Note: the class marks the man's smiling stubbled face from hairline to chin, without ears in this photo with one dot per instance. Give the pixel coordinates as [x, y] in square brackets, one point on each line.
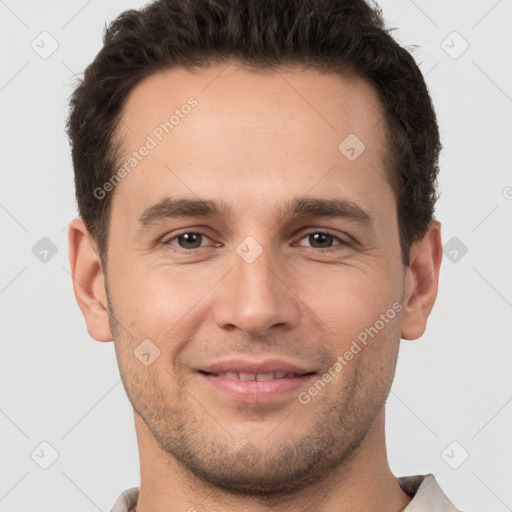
[260, 284]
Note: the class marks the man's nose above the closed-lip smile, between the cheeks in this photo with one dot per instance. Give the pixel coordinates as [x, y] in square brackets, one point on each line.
[257, 296]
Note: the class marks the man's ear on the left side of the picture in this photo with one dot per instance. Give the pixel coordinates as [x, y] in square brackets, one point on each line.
[88, 281]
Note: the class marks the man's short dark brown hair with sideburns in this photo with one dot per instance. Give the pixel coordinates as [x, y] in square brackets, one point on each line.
[339, 36]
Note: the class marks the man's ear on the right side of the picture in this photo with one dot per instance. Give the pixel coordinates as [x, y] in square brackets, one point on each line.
[421, 282]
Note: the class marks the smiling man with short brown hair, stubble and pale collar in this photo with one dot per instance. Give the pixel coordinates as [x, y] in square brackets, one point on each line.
[256, 185]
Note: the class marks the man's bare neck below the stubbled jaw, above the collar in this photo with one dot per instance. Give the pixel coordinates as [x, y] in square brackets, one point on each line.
[363, 483]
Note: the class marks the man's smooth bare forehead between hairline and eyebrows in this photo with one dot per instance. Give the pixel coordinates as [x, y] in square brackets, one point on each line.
[227, 131]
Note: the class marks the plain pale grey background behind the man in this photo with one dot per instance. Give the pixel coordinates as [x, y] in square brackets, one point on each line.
[452, 396]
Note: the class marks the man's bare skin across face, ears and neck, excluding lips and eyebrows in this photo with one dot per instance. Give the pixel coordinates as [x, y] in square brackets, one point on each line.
[255, 141]
